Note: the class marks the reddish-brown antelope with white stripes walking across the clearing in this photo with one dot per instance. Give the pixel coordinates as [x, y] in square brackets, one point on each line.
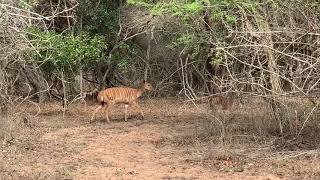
[121, 95]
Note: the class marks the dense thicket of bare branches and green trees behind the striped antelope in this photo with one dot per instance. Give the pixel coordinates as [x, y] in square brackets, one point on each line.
[239, 48]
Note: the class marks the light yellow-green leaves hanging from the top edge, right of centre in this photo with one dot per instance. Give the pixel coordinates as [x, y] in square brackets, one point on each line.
[224, 15]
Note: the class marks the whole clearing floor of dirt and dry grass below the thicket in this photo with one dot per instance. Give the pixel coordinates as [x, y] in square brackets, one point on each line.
[241, 142]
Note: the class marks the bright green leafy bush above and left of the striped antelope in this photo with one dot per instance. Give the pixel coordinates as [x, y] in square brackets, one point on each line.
[65, 52]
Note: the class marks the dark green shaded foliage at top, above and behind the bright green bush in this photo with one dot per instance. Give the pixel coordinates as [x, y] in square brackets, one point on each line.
[102, 19]
